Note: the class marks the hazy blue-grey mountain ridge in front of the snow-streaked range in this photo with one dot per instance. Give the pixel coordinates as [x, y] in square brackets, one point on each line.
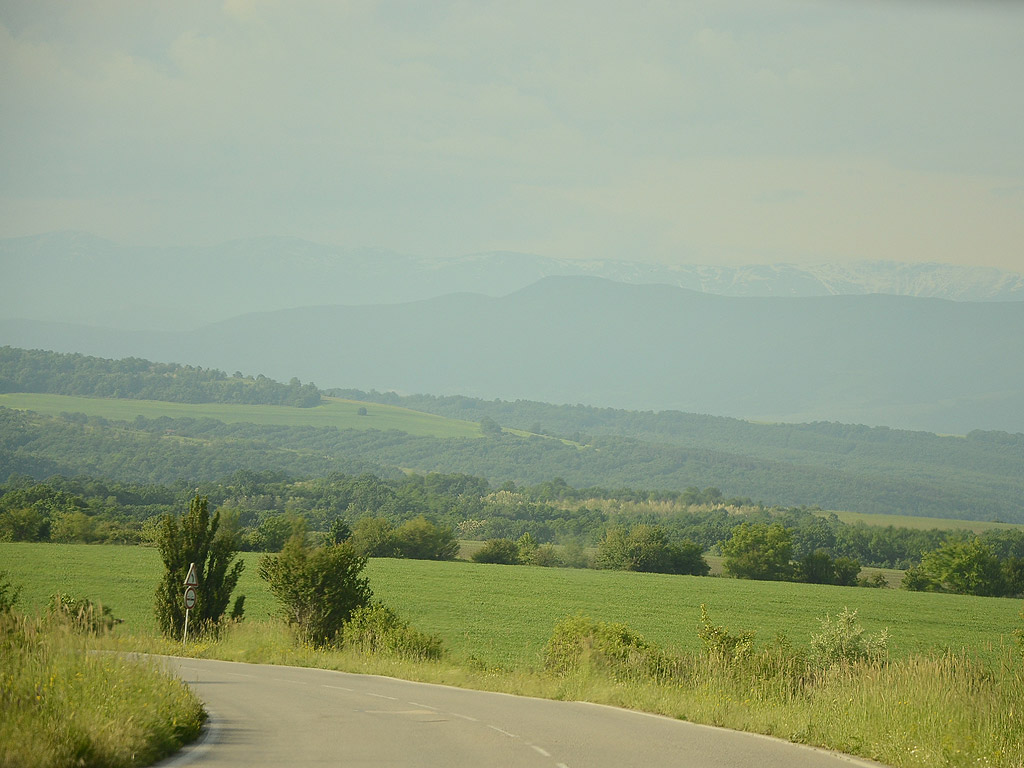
[898, 361]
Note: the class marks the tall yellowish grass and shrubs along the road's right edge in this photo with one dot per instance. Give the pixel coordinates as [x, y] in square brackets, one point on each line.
[917, 712]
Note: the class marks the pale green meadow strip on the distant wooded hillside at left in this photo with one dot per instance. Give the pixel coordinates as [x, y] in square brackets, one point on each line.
[334, 413]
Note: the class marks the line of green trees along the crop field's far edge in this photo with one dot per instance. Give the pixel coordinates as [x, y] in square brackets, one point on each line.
[426, 517]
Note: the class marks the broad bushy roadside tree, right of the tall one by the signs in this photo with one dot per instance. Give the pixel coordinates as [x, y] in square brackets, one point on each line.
[319, 588]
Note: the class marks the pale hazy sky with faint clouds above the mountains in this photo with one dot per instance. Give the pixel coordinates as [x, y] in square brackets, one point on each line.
[703, 133]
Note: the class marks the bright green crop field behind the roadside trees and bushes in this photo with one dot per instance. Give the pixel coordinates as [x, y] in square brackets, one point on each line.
[504, 615]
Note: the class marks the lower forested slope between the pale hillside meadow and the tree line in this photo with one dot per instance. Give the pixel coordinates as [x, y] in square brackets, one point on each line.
[169, 450]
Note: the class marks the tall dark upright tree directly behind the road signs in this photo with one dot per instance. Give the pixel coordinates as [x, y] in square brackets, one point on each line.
[196, 538]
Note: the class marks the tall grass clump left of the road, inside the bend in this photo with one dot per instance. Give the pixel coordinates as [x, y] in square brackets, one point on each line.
[64, 706]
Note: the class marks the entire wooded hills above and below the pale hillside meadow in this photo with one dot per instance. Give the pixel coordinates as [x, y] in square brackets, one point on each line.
[834, 466]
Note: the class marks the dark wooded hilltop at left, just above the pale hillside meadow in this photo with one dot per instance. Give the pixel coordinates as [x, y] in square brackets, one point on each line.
[133, 378]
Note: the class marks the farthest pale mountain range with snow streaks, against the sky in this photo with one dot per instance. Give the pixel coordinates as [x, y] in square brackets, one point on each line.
[78, 279]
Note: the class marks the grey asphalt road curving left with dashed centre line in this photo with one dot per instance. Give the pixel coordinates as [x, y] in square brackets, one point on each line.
[289, 716]
